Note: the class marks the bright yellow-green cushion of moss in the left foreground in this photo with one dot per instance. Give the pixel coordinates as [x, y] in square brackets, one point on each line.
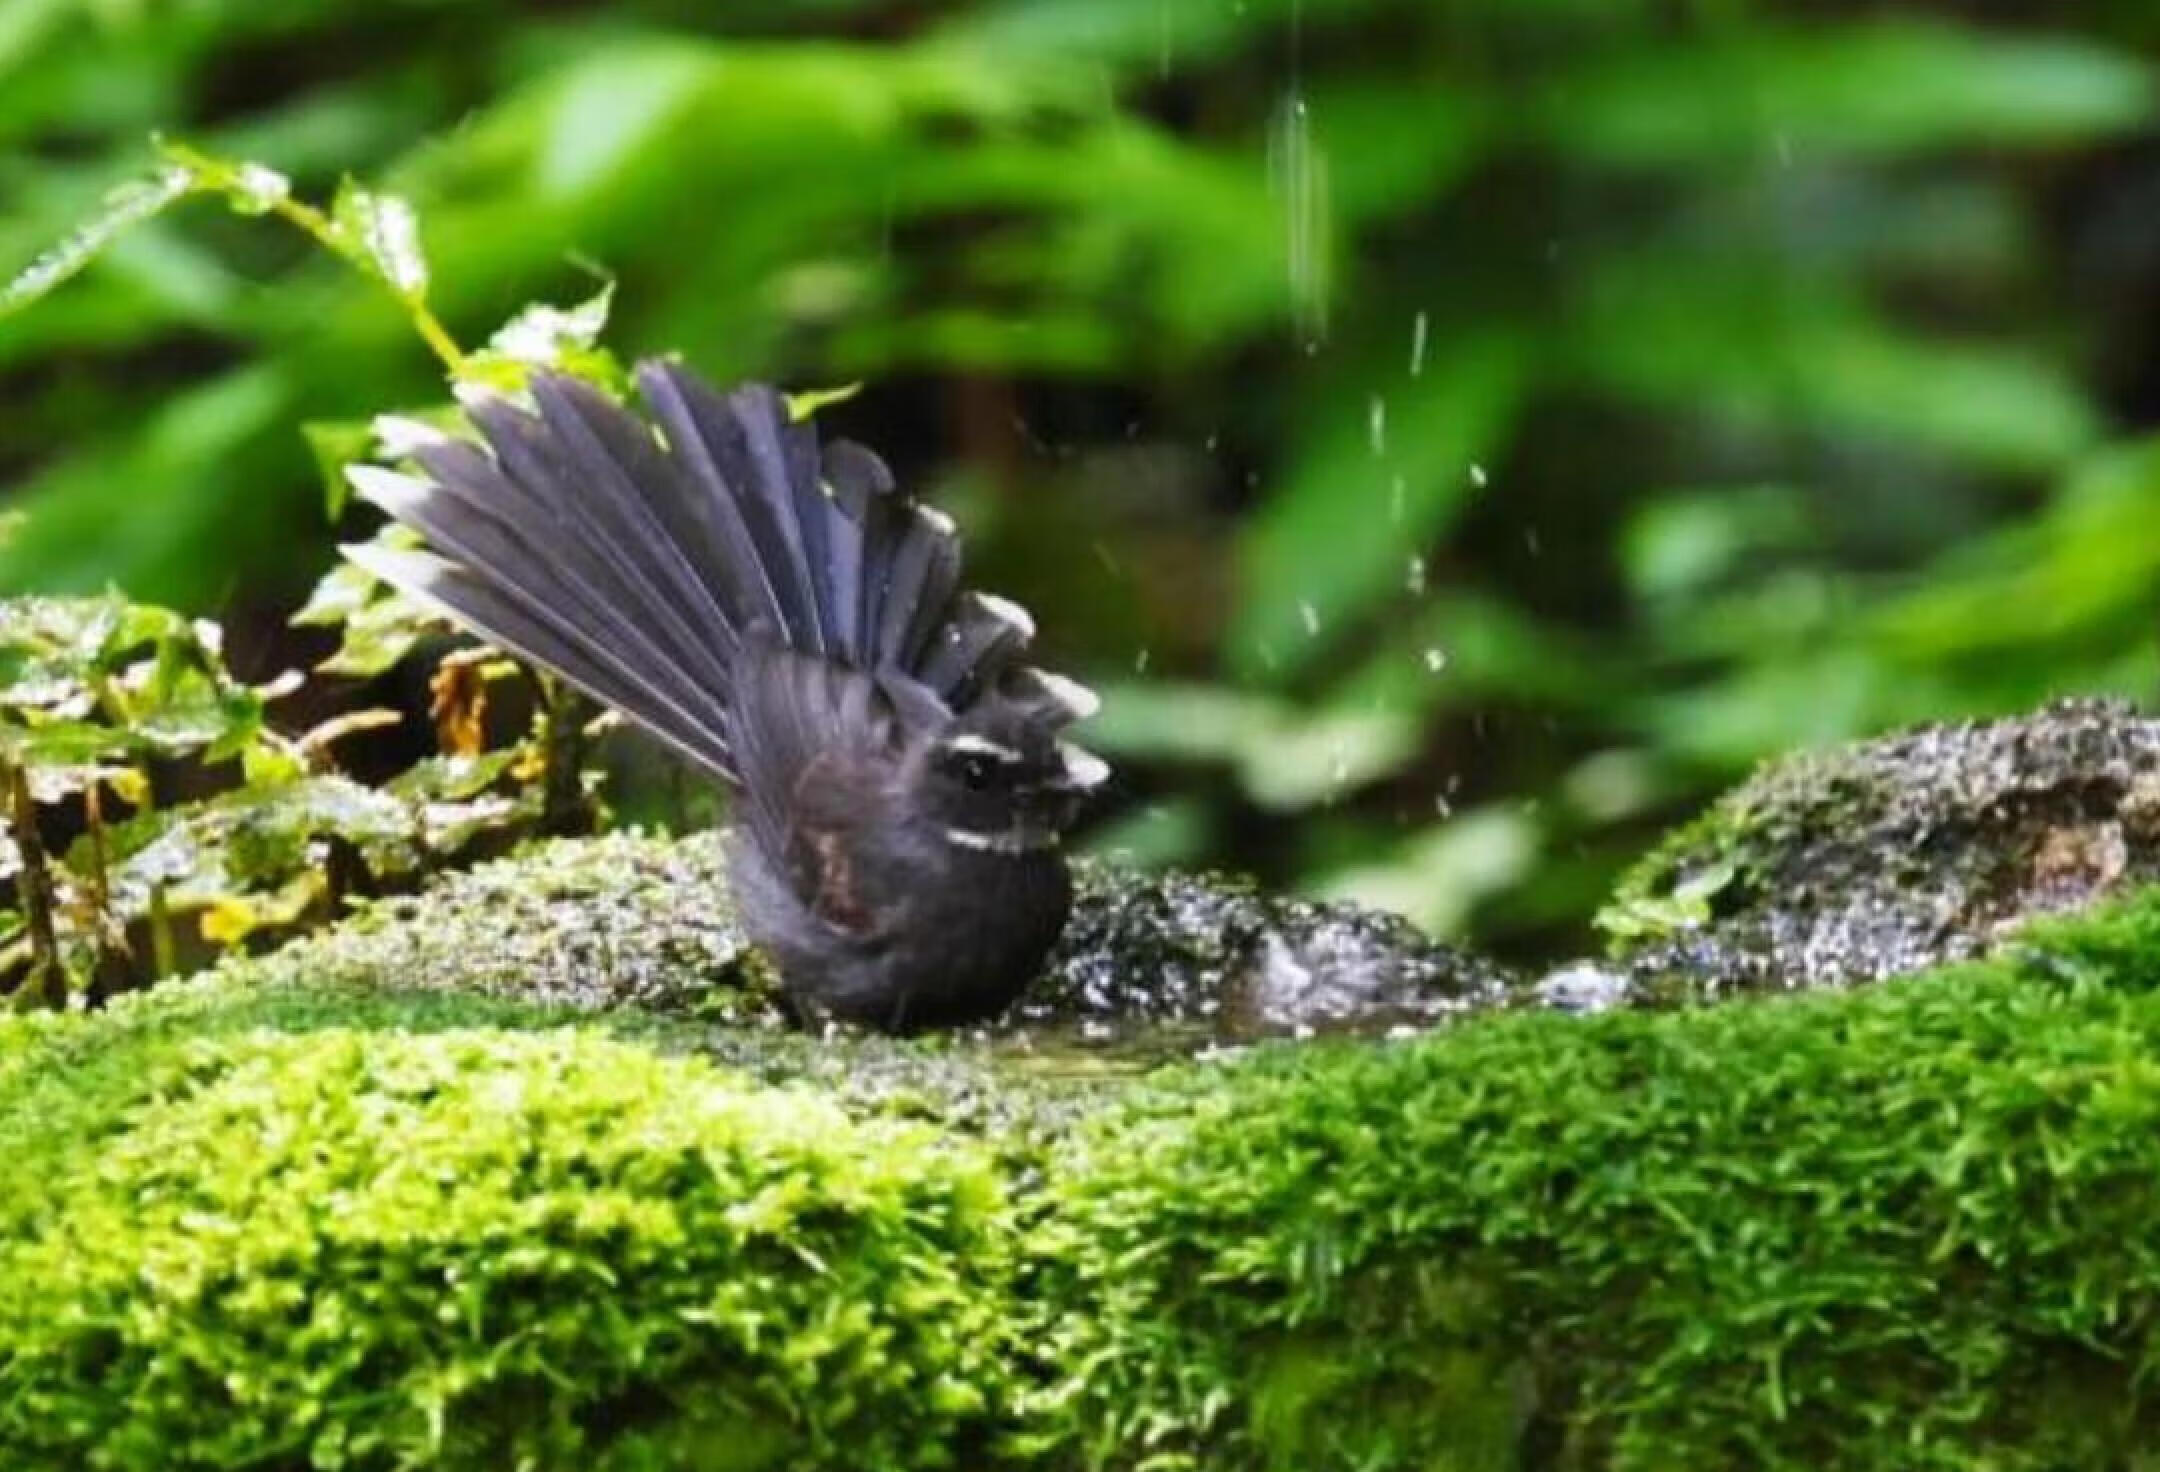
[472, 1248]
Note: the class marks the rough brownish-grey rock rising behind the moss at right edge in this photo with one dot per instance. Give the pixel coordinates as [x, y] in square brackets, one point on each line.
[1895, 855]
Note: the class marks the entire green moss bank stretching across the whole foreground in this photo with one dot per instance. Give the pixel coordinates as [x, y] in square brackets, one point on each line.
[262, 1225]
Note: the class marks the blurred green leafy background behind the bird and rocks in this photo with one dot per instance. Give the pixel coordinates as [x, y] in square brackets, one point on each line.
[1457, 436]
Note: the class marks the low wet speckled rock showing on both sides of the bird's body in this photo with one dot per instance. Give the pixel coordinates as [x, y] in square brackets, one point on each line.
[1148, 963]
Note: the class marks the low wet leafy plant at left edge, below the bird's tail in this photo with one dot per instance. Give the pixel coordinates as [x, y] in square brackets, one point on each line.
[100, 704]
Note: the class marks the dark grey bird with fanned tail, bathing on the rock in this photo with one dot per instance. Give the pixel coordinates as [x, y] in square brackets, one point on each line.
[787, 619]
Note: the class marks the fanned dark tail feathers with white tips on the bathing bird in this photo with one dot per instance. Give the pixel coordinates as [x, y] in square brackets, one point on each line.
[636, 565]
